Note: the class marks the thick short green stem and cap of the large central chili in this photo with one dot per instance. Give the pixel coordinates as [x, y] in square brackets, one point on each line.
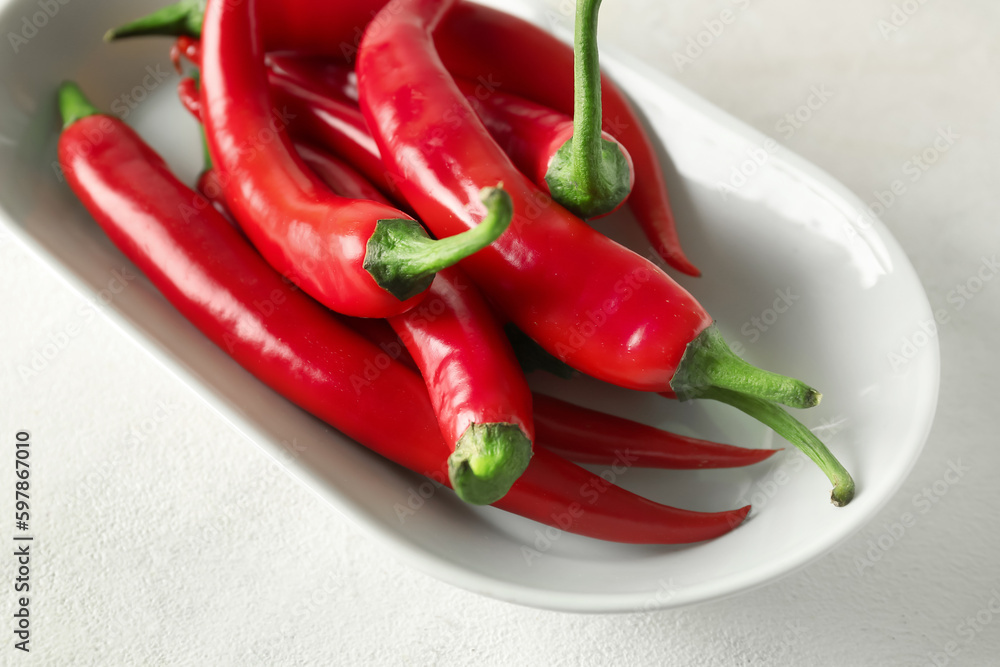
[709, 363]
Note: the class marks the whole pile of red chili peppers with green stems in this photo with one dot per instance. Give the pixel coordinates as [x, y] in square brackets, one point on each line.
[394, 248]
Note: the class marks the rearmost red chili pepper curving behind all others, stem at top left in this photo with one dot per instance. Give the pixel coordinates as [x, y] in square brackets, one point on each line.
[474, 41]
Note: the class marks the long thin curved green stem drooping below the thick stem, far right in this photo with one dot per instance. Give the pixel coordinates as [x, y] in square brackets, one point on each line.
[794, 432]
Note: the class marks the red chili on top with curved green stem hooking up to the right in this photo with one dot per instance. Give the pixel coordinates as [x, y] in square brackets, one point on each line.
[357, 257]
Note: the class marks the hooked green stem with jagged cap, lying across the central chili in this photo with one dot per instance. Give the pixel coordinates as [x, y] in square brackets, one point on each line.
[403, 259]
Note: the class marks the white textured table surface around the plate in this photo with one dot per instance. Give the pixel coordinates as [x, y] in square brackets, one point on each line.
[165, 538]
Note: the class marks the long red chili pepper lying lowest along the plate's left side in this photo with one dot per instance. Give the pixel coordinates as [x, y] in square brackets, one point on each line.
[217, 281]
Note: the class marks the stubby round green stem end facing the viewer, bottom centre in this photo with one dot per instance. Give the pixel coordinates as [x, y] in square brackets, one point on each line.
[487, 460]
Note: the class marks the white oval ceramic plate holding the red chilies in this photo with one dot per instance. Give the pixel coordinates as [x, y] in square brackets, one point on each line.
[790, 239]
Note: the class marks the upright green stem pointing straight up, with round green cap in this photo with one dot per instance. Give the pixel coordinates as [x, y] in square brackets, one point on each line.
[589, 175]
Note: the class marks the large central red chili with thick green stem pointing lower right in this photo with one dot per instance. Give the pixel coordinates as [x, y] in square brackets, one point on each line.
[589, 301]
